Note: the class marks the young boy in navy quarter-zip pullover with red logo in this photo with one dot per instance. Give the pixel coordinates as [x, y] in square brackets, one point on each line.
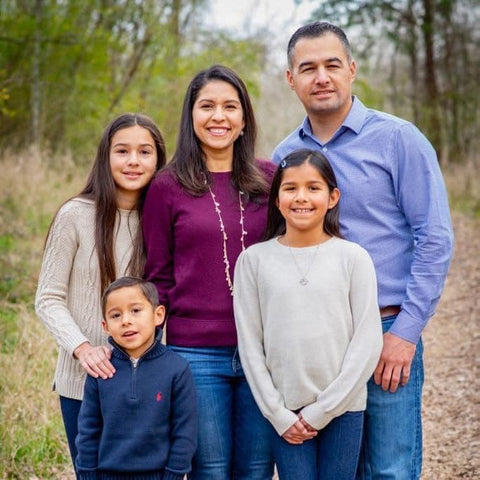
[141, 423]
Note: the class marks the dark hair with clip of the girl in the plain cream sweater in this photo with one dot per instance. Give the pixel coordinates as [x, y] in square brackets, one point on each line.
[275, 222]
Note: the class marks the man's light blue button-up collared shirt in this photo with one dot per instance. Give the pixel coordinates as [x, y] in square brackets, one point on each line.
[393, 203]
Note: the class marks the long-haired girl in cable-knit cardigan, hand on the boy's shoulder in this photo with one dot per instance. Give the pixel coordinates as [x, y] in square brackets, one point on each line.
[94, 239]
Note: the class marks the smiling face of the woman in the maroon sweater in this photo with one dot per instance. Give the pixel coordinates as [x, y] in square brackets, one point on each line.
[217, 117]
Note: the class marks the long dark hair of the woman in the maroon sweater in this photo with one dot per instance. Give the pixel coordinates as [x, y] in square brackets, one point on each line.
[188, 162]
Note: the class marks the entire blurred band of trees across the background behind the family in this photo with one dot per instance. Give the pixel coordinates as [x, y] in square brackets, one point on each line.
[68, 66]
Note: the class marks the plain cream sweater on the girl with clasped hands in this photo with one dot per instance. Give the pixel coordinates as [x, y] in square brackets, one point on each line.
[307, 347]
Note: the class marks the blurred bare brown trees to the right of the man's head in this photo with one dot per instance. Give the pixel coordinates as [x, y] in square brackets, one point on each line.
[425, 57]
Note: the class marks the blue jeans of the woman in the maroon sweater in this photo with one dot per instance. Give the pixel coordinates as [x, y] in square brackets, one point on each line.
[233, 435]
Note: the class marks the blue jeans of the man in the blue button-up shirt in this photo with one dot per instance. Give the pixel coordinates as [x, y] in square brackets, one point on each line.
[392, 444]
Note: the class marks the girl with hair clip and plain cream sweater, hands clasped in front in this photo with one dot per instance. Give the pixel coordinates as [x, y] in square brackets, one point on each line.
[308, 324]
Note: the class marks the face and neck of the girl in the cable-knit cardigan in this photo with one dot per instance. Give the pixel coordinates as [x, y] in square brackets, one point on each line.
[133, 160]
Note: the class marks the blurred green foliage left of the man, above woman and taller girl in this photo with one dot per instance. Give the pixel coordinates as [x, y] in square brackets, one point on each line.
[79, 64]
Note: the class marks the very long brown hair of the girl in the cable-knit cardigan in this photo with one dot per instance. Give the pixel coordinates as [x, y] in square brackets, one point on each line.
[100, 188]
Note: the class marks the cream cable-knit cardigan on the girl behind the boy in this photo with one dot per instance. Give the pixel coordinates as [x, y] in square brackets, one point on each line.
[68, 298]
